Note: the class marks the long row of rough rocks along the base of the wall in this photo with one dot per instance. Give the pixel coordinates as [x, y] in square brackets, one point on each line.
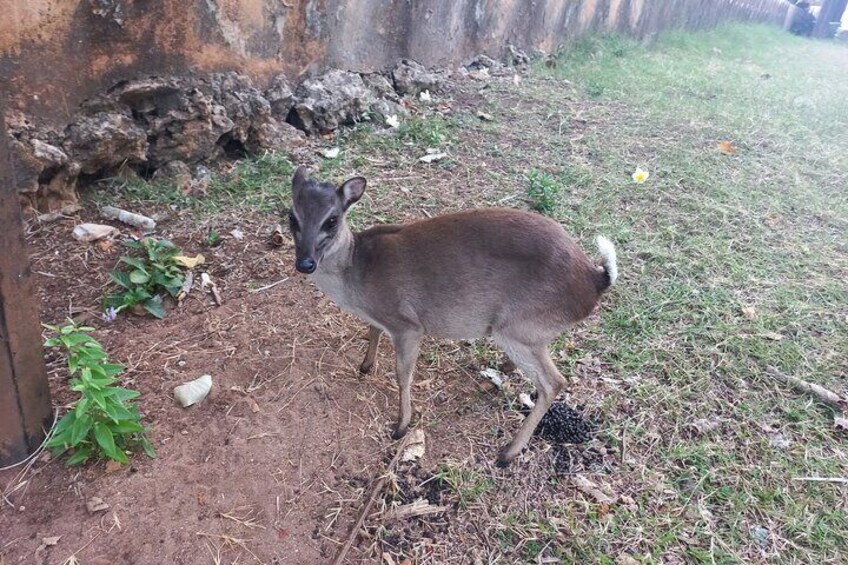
[165, 127]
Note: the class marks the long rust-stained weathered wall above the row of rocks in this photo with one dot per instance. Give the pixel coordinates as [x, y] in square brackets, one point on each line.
[56, 53]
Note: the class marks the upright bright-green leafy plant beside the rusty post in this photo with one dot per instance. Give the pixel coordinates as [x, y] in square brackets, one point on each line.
[103, 422]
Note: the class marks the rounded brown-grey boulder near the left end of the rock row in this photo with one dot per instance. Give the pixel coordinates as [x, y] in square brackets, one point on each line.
[105, 140]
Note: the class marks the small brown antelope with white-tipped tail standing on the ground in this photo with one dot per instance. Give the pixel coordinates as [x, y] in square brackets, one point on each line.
[513, 275]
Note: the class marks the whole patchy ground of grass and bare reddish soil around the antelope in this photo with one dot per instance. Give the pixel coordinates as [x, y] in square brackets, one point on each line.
[731, 262]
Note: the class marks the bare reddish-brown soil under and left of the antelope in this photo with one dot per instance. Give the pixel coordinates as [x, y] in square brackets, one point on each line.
[275, 465]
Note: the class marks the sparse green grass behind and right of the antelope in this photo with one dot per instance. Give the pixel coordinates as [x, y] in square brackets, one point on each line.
[706, 236]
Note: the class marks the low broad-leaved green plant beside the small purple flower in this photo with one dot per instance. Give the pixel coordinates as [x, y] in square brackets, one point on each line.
[152, 272]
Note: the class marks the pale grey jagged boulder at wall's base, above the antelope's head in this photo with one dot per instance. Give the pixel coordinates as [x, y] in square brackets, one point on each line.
[323, 103]
